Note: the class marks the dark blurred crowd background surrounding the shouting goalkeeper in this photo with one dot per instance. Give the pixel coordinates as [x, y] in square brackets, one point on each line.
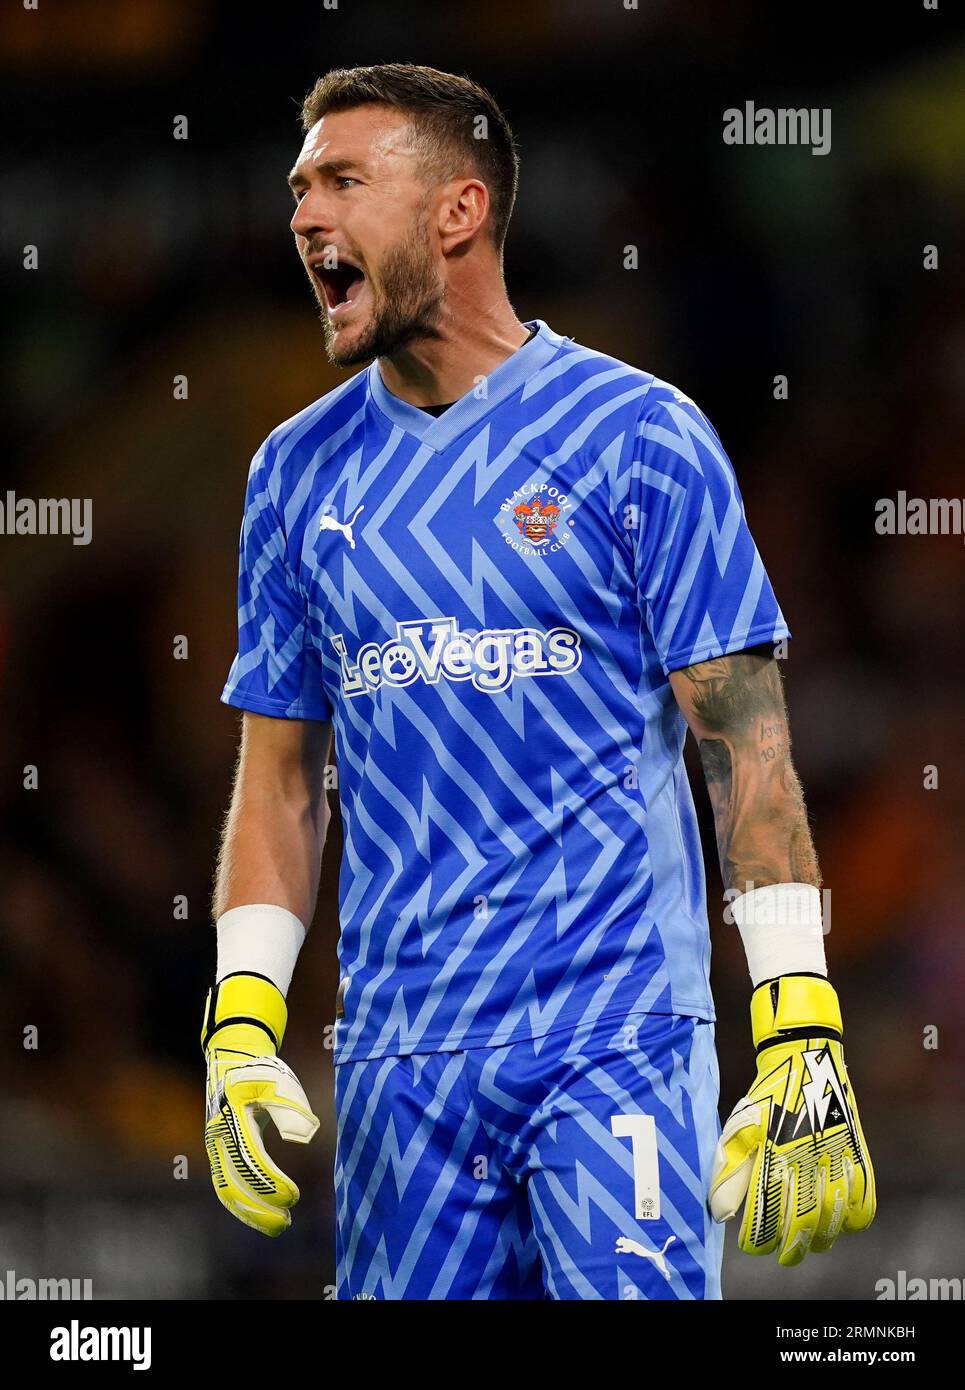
[162, 258]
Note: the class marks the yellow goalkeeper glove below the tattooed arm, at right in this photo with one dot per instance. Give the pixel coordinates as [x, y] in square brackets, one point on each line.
[795, 1145]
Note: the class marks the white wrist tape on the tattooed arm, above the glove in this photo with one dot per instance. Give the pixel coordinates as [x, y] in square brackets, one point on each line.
[782, 931]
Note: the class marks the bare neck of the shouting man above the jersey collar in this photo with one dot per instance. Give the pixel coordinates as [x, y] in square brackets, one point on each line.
[471, 341]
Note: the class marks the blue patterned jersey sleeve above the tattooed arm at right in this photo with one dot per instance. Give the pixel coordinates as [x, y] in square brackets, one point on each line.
[702, 582]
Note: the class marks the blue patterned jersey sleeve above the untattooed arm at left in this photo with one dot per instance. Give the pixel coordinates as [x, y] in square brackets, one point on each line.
[277, 669]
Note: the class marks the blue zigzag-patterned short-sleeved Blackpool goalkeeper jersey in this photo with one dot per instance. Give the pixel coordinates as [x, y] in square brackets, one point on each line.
[487, 604]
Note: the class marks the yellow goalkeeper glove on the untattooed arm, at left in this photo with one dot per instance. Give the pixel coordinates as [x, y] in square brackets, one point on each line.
[248, 1085]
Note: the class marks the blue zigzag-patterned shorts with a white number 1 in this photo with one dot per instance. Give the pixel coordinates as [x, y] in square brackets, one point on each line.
[568, 1167]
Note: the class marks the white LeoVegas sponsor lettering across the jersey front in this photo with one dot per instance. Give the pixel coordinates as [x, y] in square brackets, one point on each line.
[430, 650]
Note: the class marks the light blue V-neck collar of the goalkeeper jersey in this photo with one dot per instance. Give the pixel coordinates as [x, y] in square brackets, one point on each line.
[439, 432]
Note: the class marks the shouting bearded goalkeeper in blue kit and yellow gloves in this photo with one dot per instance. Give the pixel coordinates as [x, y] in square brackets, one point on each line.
[510, 572]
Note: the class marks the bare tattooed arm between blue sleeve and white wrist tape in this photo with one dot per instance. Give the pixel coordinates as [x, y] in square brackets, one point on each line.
[736, 708]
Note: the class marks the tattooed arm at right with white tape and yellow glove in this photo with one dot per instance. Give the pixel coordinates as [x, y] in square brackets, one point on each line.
[813, 1168]
